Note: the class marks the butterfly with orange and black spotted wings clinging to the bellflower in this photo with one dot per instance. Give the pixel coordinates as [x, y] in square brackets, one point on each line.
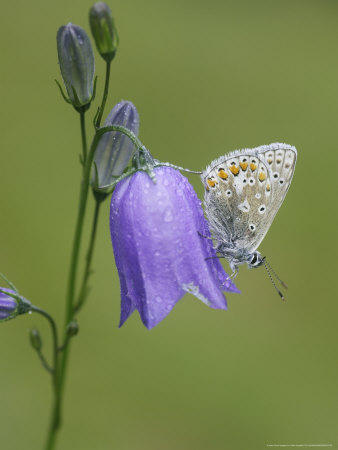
[243, 192]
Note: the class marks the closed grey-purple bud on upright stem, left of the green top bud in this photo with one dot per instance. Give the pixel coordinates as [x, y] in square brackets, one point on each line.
[77, 66]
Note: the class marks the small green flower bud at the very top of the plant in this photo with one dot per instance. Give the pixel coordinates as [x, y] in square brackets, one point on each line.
[103, 30]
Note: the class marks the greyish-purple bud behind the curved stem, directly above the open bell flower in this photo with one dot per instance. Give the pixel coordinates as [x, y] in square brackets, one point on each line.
[115, 149]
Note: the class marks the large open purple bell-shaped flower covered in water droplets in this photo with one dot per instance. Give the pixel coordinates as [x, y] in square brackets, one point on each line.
[162, 246]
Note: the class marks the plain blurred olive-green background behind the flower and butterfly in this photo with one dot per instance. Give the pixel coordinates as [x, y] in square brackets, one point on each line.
[207, 78]
